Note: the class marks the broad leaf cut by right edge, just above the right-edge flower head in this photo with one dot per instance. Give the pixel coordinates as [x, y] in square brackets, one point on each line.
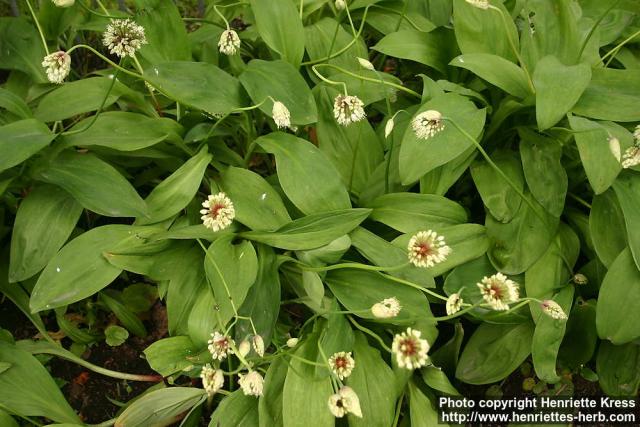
[611, 95]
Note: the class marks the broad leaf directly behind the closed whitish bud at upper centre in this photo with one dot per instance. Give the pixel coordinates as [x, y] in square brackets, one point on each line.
[279, 81]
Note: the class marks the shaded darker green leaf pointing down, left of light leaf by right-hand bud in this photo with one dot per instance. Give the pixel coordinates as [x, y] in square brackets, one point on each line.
[546, 177]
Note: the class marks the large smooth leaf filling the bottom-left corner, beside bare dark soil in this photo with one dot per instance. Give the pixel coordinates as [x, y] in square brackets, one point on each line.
[27, 388]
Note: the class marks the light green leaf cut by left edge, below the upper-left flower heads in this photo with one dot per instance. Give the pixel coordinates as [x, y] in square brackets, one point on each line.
[21, 140]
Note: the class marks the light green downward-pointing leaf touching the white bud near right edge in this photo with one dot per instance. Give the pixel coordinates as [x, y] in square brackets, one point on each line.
[592, 140]
